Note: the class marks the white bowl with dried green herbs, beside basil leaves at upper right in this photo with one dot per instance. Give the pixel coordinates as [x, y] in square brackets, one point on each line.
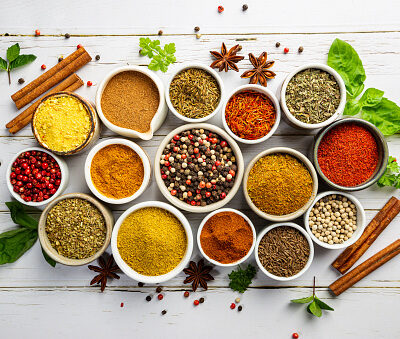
[313, 96]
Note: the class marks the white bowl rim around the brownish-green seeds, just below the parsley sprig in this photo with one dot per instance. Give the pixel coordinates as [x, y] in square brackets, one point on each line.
[208, 70]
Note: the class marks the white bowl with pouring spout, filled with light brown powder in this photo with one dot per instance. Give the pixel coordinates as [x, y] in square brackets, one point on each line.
[131, 102]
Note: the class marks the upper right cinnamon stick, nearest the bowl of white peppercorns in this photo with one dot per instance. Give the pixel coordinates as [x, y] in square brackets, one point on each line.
[352, 253]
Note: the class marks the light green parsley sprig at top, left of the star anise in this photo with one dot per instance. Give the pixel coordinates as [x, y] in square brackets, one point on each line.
[161, 58]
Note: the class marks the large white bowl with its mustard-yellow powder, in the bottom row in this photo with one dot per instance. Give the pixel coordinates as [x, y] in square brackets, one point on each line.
[152, 242]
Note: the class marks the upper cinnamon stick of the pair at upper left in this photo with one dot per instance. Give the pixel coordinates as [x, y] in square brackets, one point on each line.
[52, 77]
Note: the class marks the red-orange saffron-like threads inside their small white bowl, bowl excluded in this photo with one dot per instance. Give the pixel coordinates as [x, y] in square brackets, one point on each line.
[250, 115]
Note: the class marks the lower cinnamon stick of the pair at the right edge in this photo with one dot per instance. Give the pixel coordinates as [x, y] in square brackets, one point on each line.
[368, 266]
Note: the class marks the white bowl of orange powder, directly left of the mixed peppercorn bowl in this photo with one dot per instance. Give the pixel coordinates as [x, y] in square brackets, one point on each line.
[117, 171]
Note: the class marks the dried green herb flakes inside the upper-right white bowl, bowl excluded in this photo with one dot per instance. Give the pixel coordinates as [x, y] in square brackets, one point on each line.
[312, 96]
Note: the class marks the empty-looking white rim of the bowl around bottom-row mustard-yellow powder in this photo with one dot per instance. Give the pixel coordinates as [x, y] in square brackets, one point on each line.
[144, 278]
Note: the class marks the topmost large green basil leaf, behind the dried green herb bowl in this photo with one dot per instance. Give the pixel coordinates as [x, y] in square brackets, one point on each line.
[345, 60]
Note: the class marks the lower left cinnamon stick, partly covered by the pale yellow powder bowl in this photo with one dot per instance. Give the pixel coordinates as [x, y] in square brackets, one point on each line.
[72, 83]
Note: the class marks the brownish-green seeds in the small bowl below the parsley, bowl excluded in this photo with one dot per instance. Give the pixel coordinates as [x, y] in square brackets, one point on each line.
[194, 93]
